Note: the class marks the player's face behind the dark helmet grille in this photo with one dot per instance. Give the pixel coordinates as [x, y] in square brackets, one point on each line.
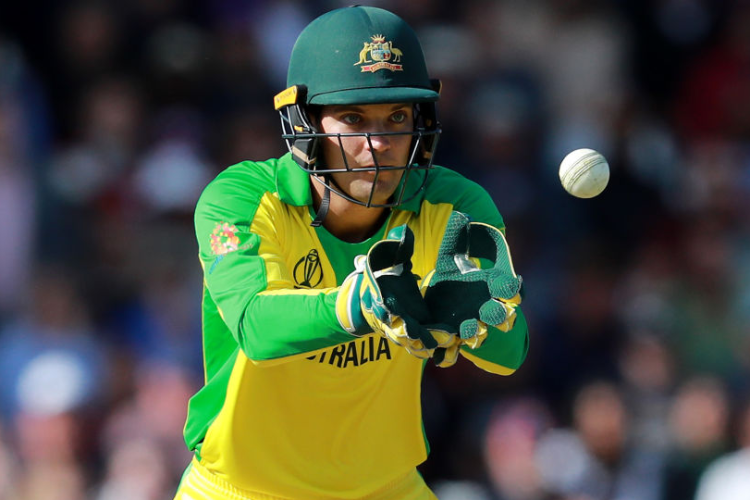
[361, 153]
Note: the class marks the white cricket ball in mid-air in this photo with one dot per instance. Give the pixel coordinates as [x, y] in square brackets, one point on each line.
[584, 173]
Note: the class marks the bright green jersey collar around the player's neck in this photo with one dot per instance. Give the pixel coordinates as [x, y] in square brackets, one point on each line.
[293, 185]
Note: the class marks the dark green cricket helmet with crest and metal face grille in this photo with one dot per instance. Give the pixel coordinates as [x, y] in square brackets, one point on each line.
[358, 55]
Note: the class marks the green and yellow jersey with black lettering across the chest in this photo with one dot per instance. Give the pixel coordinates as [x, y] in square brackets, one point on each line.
[293, 406]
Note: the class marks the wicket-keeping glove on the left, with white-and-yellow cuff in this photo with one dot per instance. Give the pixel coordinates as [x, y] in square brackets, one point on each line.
[382, 295]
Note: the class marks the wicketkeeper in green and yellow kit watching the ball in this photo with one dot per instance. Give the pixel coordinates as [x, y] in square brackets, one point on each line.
[335, 273]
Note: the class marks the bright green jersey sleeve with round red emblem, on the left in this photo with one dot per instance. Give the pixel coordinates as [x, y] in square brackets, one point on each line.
[246, 277]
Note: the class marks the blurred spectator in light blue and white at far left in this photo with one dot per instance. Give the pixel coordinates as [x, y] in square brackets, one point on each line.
[51, 361]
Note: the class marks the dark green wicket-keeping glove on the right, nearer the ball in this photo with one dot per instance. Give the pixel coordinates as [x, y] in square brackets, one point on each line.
[461, 294]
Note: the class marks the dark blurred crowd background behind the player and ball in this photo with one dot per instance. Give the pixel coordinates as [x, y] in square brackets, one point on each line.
[114, 115]
